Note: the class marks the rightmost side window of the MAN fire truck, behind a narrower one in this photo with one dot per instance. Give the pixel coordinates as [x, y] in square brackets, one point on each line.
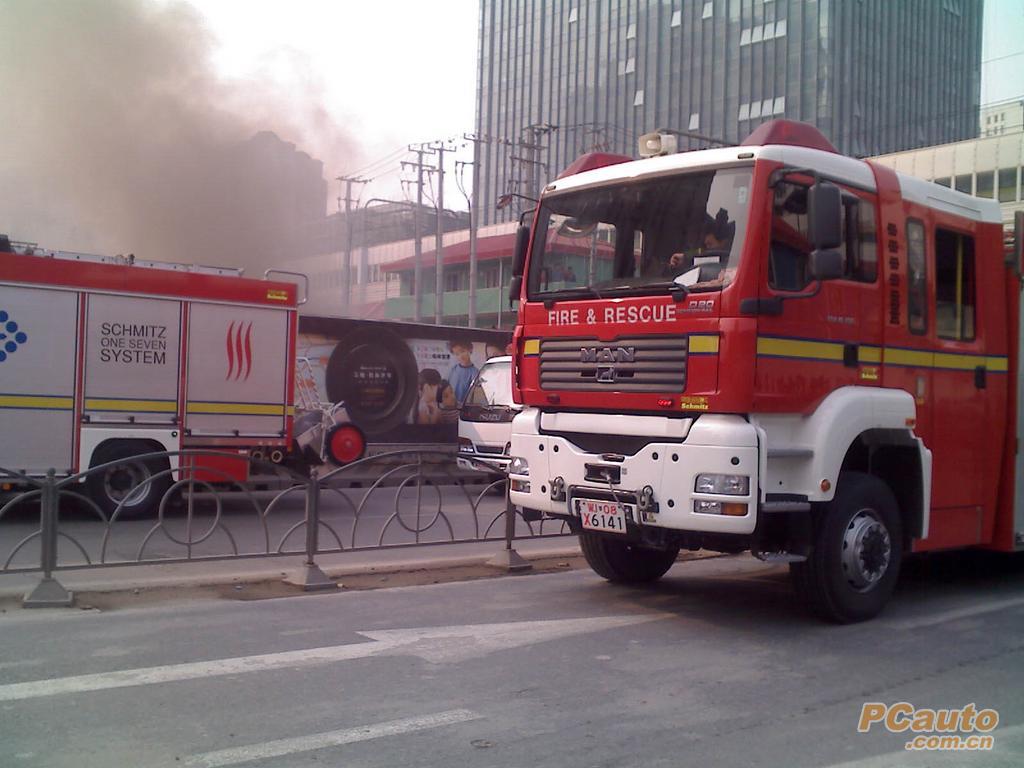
[954, 286]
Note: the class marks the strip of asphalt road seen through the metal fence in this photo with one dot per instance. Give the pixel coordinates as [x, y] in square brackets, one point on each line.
[232, 523]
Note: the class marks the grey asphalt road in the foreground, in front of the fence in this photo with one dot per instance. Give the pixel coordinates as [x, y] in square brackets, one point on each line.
[714, 666]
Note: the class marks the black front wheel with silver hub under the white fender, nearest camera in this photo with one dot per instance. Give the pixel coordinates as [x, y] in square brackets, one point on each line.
[856, 559]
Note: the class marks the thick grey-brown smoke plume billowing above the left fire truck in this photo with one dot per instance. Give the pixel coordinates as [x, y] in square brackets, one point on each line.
[117, 137]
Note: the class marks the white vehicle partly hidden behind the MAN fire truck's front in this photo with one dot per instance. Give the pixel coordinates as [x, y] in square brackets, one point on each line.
[486, 419]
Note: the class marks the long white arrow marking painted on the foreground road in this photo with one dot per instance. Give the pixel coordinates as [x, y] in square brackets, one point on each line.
[437, 645]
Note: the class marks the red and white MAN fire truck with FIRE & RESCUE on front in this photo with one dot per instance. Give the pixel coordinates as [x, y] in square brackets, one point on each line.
[769, 348]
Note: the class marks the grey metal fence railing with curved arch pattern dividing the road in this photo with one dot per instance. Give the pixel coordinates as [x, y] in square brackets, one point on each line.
[189, 506]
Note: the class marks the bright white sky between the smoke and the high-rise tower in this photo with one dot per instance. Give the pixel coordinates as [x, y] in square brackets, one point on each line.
[392, 72]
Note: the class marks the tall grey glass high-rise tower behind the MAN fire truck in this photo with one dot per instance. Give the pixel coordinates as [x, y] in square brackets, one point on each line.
[559, 78]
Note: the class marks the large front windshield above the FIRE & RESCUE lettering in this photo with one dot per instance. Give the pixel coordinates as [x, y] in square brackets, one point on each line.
[674, 233]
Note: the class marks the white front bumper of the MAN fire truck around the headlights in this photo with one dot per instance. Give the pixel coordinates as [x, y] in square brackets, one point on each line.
[712, 444]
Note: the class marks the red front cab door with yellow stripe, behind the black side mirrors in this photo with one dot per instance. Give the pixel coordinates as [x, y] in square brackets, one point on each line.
[828, 340]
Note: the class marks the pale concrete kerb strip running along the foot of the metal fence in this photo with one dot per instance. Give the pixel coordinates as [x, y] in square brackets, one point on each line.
[248, 571]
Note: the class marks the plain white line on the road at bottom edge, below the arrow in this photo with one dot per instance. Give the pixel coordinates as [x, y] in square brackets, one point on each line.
[331, 739]
